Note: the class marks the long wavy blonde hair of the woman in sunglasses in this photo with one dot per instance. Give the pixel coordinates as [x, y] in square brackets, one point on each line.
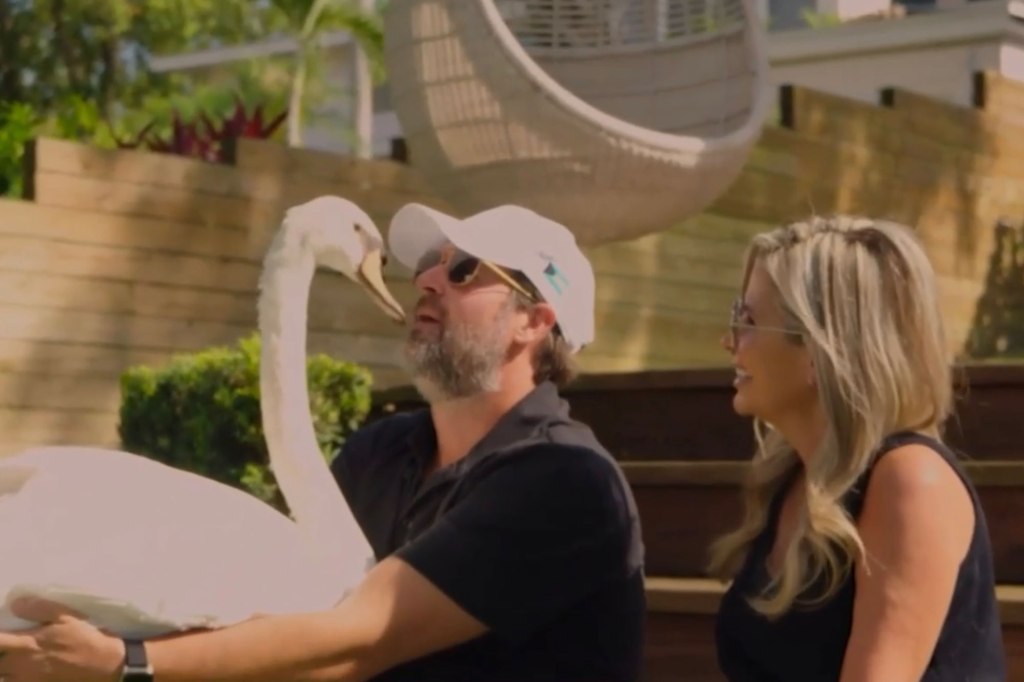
[862, 294]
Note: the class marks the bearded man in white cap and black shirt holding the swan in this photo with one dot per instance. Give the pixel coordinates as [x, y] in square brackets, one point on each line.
[508, 541]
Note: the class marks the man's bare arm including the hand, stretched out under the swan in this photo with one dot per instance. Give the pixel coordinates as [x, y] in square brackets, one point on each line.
[395, 616]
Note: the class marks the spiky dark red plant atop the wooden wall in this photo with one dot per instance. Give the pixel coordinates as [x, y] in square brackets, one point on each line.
[205, 139]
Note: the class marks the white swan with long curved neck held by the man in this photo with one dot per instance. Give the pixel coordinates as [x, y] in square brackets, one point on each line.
[143, 549]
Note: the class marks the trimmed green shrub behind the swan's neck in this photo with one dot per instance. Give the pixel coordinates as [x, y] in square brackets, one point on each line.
[202, 413]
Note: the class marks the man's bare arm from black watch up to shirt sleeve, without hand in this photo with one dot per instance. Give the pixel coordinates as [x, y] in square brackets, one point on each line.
[394, 617]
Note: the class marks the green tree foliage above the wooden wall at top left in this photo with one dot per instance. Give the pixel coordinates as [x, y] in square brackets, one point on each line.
[83, 66]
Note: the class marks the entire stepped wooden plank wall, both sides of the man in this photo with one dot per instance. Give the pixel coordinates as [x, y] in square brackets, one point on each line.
[122, 258]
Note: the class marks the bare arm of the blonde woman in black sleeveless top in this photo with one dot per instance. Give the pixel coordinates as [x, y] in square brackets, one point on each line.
[917, 526]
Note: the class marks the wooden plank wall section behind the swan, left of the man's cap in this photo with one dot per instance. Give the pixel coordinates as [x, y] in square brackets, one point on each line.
[124, 258]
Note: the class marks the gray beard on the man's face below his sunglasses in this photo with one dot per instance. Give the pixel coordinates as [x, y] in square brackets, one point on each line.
[466, 360]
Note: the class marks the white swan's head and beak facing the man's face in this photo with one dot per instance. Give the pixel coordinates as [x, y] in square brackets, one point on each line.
[344, 238]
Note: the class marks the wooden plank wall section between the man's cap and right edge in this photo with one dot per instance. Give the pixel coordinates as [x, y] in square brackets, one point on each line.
[951, 173]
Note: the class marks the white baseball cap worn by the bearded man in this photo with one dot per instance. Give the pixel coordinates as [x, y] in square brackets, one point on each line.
[518, 239]
